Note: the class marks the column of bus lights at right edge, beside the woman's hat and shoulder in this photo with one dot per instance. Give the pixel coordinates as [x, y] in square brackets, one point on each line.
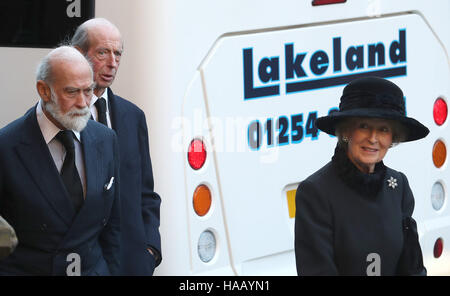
[439, 153]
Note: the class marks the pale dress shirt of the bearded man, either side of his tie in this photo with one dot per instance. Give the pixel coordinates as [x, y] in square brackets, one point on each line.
[57, 149]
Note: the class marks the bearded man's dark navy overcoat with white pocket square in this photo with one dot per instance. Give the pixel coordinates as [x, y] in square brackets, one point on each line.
[33, 199]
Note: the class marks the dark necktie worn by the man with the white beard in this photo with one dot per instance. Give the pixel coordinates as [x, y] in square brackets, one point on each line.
[69, 173]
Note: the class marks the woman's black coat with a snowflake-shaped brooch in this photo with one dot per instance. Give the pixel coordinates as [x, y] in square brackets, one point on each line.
[343, 216]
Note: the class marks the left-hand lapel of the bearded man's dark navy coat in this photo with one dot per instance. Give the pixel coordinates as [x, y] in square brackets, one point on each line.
[36, 157]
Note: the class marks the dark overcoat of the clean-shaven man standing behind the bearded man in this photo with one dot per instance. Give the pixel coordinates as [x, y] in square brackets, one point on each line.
[140, 203]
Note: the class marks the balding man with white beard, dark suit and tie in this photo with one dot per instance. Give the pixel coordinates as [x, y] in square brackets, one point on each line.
[59, 178]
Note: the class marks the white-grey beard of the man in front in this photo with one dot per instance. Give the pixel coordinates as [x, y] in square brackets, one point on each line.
[75, 119]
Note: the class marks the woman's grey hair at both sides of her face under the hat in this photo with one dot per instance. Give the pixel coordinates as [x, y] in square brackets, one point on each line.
[399, 132]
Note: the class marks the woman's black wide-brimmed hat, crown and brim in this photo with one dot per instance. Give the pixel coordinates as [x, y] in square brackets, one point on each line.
[373, 97]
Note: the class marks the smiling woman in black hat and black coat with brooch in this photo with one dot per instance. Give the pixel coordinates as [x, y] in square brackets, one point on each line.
[353, 216]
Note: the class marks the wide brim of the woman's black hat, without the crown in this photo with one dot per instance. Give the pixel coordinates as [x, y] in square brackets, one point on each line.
[415, 130]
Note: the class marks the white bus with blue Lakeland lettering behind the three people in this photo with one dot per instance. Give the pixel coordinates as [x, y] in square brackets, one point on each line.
[239, 83]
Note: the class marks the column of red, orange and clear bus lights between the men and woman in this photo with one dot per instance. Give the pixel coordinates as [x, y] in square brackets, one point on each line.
[202, 200]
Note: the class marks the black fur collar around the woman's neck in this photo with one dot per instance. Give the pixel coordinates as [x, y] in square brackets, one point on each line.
[366, 184]
